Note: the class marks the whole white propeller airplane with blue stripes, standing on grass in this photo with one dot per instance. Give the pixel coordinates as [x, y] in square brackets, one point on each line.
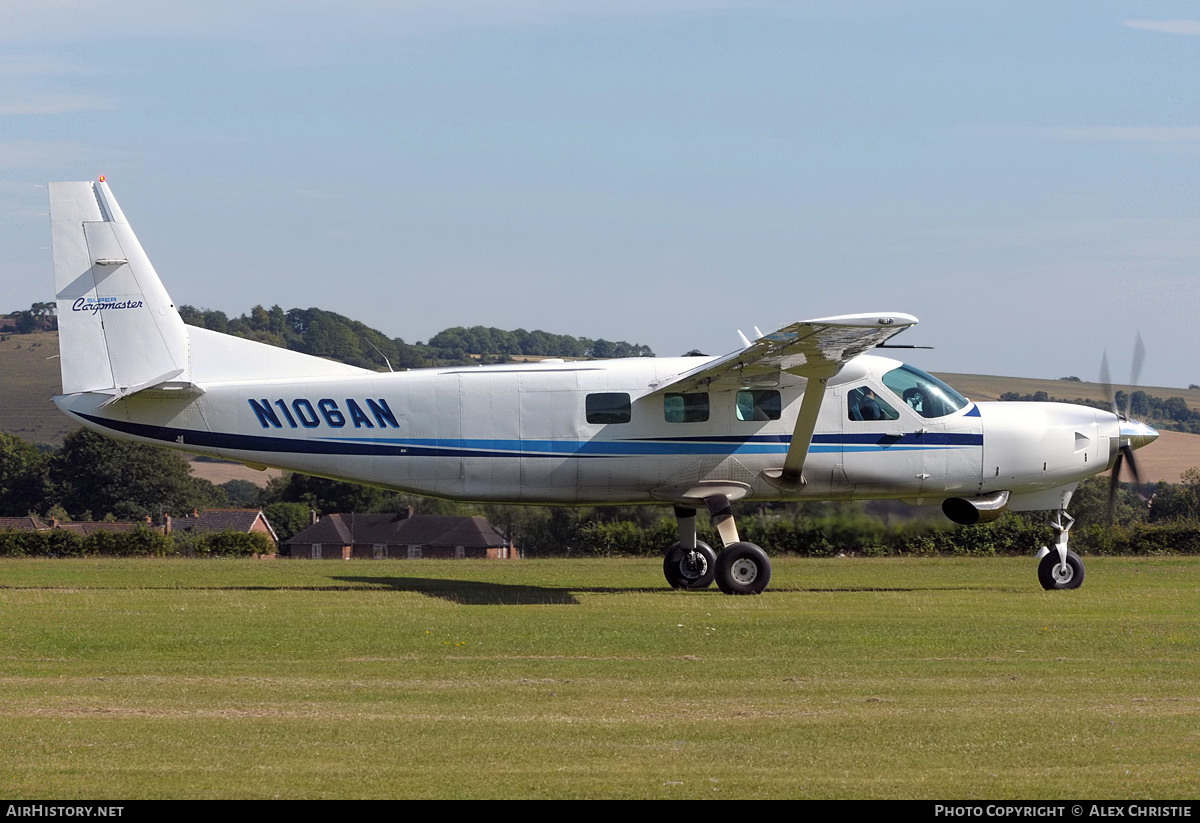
[801, 414]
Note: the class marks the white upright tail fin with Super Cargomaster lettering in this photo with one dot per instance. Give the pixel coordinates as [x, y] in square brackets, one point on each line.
[119, 332]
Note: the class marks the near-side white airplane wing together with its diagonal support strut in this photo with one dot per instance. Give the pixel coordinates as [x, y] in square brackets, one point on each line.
[815, 350]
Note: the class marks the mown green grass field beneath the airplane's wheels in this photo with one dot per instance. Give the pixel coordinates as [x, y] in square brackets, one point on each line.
[915, 678]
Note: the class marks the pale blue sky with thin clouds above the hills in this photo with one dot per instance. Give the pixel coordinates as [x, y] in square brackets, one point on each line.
[1023, 177]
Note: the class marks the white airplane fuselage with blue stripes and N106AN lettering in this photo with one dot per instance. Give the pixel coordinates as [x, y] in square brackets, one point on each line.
[596, 432]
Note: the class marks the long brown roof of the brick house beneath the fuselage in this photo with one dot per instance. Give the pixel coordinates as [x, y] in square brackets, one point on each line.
[404, 531]
